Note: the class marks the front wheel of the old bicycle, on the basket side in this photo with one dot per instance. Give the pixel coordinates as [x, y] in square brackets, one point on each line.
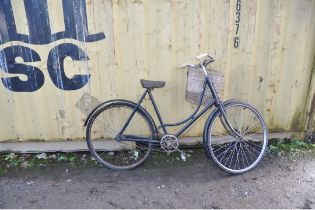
[237, 153]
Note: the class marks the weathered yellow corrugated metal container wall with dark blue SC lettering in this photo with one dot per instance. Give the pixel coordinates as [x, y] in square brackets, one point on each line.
[58, 59]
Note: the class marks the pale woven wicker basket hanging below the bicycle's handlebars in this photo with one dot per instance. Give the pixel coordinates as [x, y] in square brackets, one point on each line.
[195, 81]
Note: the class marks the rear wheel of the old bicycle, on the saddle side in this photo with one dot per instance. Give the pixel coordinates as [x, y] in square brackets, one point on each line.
[105, 124]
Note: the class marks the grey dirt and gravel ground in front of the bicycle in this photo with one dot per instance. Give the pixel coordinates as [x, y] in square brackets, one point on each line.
[162, 182]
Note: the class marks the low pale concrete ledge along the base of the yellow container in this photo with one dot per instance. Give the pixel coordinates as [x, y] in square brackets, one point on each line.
[77, 146]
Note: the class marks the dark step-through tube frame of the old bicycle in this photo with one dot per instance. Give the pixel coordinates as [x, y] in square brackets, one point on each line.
[189, 120]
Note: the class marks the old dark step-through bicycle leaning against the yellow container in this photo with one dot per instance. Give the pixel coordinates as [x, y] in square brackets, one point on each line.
[121, 134]
